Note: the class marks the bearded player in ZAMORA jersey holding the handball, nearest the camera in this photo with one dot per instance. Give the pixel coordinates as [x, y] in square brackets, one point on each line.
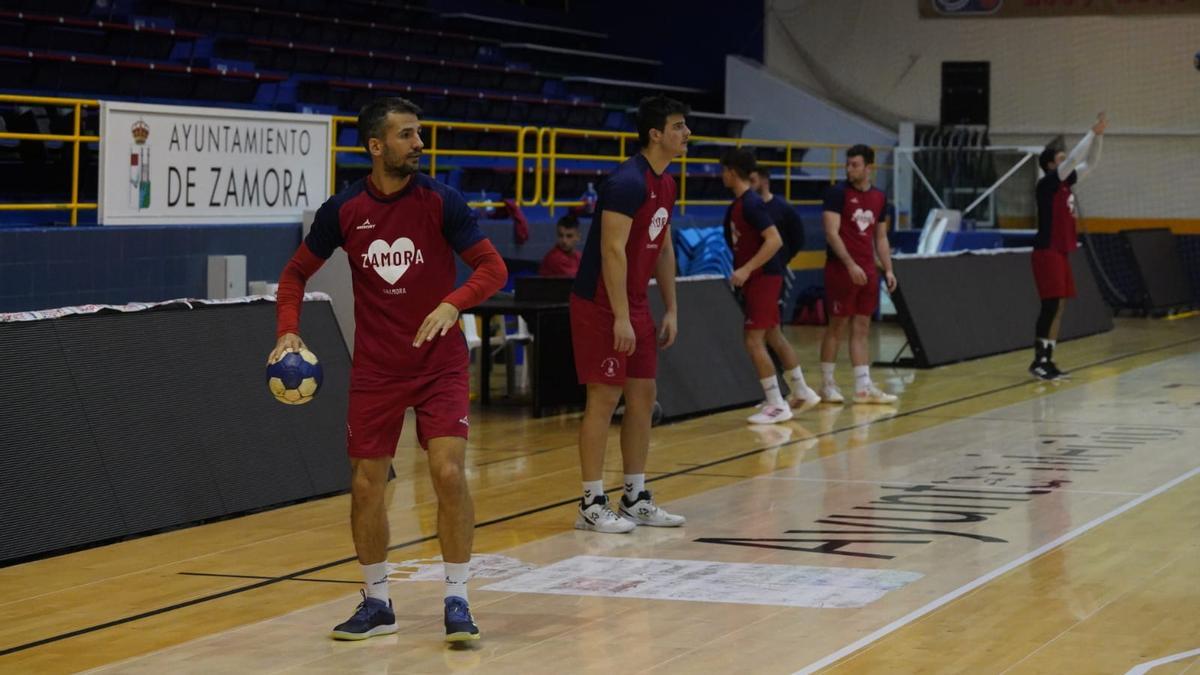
[401, 231]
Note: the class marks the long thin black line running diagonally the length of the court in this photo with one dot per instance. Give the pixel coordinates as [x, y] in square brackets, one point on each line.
[293, 576]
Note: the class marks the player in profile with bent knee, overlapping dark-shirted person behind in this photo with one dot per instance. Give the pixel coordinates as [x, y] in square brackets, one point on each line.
[759, 272]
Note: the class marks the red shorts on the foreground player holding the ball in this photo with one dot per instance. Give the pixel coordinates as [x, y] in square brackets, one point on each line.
[379, 404]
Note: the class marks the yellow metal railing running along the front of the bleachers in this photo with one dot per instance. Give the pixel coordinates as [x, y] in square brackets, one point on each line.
[539, 164]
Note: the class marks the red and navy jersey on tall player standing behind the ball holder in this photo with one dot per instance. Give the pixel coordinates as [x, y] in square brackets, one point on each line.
[649, 199]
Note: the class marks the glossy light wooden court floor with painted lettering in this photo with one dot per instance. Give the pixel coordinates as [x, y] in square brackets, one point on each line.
[985, 524]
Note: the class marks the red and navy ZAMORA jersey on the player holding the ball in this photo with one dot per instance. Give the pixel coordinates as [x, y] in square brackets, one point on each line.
[401, 250]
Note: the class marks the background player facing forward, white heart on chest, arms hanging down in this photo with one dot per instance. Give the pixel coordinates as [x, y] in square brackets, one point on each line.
[857, 231]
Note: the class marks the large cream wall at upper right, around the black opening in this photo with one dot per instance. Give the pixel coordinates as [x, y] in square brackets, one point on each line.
[1049, 76]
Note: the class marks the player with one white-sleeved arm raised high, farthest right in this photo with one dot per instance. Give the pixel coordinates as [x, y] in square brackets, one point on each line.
[1057, 240]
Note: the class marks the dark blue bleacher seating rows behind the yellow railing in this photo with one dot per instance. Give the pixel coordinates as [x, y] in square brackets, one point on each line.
[332, 57]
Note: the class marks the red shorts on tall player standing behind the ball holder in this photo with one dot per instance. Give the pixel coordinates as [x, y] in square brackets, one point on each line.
[596, 362]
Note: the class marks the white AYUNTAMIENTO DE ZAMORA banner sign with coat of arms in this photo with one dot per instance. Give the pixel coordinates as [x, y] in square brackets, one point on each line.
[167, 165]
